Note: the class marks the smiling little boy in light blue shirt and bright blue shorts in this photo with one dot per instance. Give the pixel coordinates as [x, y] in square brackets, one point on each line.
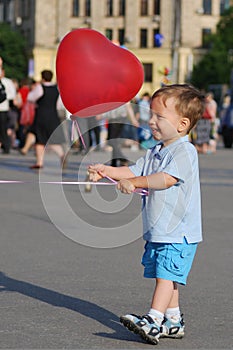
[172, 210]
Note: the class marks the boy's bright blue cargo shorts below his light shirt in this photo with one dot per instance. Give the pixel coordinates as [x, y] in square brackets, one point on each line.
[169, 261]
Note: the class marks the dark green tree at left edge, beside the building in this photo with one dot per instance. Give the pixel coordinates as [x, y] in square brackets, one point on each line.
[14, 52]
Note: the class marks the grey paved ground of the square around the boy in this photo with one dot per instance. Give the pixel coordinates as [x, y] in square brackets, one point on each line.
[56, 293]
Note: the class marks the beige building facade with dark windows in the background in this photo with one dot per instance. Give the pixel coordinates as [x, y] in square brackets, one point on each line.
[167, 36]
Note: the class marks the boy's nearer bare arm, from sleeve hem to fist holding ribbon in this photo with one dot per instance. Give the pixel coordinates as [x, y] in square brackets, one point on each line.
[158, 181]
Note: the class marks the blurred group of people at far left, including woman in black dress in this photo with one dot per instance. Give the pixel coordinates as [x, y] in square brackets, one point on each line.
[29, 116]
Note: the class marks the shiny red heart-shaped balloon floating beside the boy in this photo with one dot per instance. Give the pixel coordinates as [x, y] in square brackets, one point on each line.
[94, 75]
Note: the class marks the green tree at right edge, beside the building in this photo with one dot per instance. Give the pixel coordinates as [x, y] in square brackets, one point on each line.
[216, 65]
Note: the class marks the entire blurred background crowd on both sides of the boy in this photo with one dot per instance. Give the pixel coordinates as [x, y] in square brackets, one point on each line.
[29, 115]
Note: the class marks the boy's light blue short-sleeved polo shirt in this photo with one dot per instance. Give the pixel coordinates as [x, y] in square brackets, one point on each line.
[170, 215]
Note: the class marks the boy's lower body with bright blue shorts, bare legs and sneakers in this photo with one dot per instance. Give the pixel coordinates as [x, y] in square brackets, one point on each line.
[164, 317]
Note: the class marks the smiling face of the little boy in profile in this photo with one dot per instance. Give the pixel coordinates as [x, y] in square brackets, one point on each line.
[165, 121]
